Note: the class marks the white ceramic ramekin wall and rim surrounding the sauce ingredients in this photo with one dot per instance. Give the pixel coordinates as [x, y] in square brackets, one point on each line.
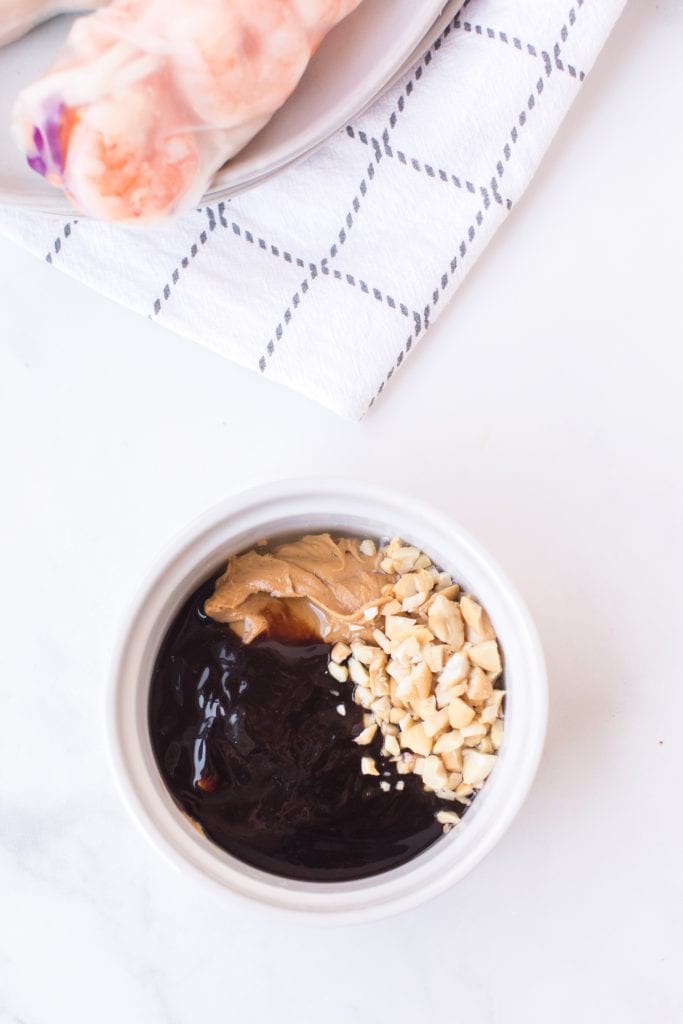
[300, 506]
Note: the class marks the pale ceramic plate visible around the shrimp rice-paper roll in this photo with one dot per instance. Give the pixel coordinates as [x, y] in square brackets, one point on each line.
[355, 64]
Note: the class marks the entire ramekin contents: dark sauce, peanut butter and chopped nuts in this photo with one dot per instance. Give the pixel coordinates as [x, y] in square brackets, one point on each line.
[328, 707]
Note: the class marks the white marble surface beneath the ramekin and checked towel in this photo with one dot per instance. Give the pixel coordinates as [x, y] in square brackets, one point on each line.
[556, 438]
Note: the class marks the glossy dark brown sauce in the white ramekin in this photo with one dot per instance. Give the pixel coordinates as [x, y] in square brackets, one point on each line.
[249, 742]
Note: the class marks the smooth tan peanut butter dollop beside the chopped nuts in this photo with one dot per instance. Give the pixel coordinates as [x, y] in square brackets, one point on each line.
[315, 587]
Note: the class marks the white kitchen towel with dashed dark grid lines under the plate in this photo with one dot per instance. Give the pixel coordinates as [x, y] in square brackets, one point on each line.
[326, 277]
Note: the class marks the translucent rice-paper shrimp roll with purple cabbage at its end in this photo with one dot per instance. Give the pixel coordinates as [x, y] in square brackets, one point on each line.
[150, 98]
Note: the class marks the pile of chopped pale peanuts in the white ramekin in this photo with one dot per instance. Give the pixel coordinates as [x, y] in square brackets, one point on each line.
[426, 680]
